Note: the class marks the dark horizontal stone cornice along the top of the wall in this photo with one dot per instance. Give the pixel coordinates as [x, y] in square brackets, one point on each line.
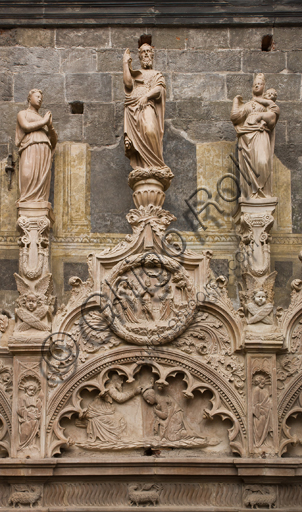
[194, 13]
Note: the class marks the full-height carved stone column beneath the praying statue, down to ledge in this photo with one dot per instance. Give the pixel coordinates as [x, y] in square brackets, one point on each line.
[33, 317]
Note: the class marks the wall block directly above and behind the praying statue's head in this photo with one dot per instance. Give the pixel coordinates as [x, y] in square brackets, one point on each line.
[52, 86]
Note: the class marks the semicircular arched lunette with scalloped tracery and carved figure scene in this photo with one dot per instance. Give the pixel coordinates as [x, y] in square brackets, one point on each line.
[161, 389]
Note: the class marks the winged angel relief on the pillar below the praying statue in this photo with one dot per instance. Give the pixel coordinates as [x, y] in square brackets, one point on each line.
[35, 306]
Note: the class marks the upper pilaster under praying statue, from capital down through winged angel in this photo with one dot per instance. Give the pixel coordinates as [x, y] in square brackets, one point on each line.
[33, 314]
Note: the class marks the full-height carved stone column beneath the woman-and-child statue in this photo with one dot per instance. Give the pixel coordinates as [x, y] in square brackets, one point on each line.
[254, 219]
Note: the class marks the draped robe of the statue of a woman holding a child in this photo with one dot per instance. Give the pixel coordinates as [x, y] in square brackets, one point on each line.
[255, 149]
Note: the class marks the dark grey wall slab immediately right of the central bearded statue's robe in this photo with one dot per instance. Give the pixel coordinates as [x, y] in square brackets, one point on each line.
[180, 156]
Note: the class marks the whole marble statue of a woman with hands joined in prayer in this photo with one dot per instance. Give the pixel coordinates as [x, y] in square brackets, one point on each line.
[36, 140]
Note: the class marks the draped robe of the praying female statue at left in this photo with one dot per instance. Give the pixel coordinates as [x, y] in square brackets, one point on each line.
[35, 161]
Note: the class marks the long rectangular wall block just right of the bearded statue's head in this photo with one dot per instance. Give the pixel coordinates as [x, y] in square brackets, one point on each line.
[188, 61]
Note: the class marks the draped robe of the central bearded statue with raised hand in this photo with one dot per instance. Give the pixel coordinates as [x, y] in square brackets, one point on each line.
[145, 127]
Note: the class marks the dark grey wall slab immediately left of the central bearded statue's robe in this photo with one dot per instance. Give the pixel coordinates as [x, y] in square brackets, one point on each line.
[111, 198]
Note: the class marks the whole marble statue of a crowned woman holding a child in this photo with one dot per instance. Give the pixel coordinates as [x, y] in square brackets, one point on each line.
[255, 123]
